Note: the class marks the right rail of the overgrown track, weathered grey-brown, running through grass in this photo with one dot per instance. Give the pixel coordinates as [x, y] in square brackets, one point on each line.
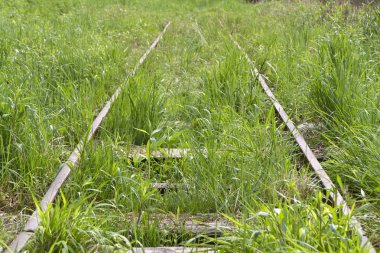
[335, 196]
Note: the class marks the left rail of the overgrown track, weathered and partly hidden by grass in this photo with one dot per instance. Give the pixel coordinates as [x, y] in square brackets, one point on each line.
[73, 161]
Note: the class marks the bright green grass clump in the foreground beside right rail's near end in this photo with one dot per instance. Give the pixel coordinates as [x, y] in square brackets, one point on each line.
[311, 226]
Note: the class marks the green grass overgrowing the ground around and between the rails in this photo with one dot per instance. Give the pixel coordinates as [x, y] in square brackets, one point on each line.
[60, 61]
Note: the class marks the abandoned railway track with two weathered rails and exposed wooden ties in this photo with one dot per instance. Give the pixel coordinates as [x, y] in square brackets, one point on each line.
[213, 228]
